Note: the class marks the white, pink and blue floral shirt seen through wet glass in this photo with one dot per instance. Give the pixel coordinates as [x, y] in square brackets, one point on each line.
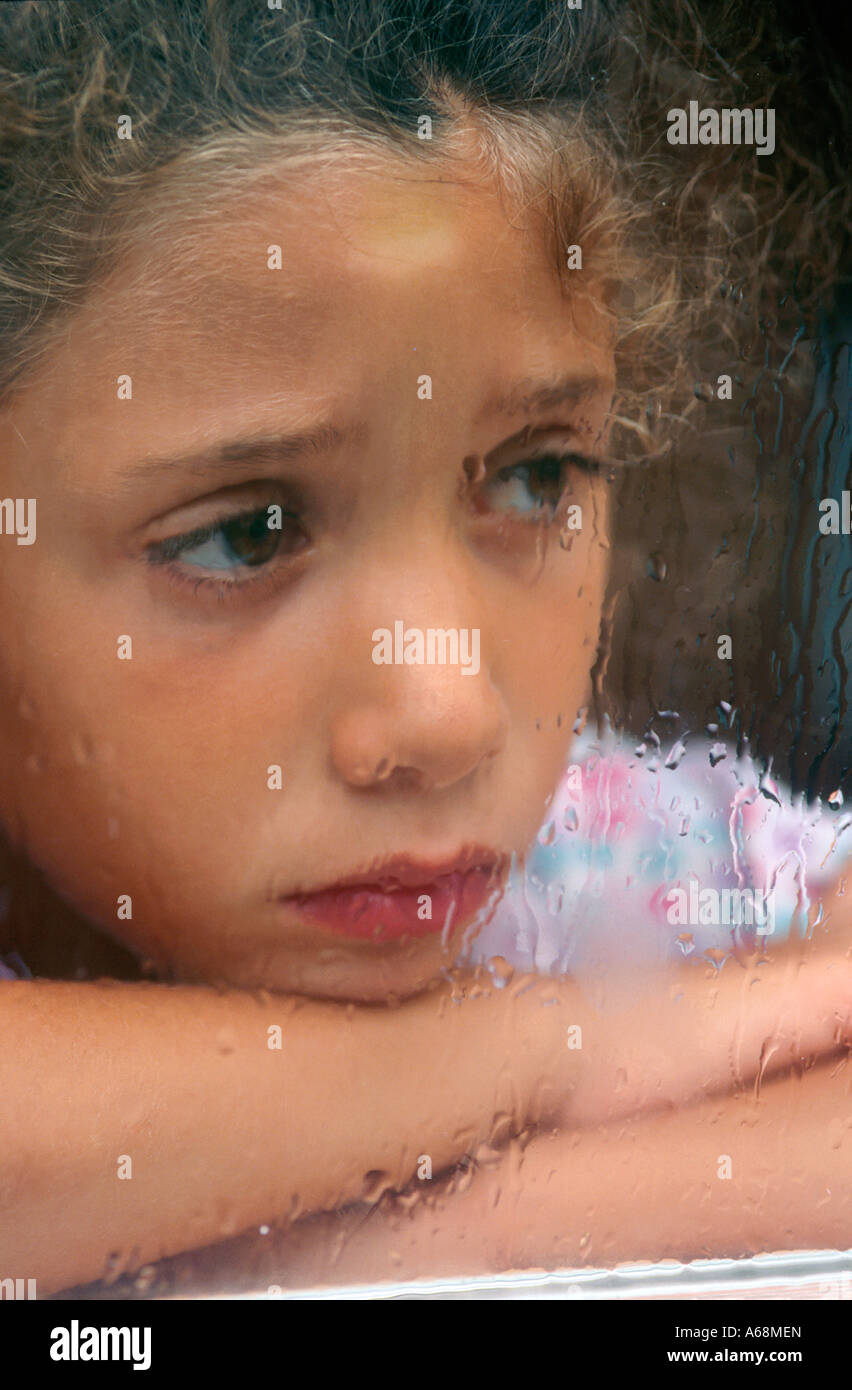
[650, 854]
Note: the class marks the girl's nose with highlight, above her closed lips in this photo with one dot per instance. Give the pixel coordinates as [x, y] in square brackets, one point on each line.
[418, 725]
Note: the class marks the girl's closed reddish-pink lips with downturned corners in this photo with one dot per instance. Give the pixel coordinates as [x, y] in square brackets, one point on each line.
[407, 897]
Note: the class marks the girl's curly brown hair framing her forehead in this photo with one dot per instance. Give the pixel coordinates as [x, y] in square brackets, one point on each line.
[569, 106]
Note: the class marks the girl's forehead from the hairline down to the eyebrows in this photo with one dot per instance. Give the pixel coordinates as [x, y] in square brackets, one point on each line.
[316, 293]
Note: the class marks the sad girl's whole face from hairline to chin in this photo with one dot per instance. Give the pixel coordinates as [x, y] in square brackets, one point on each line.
[243, 475]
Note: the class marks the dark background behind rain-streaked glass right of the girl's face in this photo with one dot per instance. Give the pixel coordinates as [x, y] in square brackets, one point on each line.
[725, 537]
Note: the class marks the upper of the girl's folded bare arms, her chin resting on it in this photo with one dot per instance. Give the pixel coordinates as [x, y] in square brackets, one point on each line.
[224, 1132]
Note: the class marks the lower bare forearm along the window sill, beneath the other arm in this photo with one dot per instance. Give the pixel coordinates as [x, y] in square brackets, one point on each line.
[640, 1191]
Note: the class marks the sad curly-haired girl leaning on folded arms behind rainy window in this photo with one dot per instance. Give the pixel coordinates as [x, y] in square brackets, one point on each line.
[329, 333]
